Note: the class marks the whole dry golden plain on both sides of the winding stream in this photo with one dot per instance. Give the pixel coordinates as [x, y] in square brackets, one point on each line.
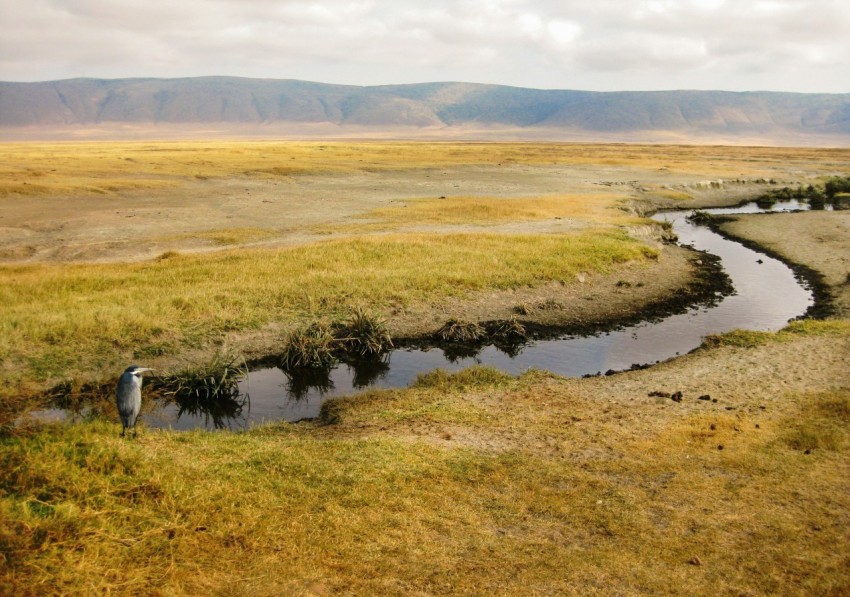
[466, 484]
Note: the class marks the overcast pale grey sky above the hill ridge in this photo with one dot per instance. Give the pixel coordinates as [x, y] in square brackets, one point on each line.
[603, 45]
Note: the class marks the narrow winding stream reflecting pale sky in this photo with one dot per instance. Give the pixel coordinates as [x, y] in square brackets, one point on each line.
[767, 296]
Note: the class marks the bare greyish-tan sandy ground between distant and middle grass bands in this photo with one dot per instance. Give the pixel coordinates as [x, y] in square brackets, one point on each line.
[133, 225]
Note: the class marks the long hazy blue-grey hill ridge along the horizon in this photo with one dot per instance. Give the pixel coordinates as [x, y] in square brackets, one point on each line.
[432, 106]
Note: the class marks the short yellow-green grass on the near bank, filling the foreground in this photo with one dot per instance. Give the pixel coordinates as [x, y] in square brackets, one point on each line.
[472, 483]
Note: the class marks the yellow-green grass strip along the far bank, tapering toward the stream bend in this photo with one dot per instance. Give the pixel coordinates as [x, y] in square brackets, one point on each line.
[62, 318]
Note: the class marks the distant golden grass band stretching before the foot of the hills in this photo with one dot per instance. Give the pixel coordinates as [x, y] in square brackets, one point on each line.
[33, 169]
